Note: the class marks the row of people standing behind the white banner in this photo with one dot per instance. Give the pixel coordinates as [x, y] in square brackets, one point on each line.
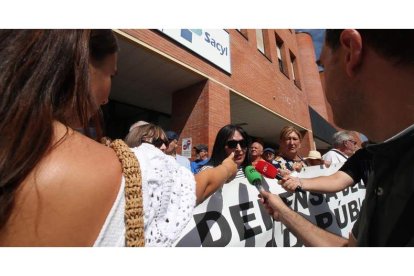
[286, 159]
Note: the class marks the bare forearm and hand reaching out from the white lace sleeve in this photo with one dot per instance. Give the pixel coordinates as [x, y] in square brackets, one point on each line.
[208, 181]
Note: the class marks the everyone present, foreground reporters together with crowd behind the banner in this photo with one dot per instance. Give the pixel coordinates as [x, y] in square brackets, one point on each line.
[48, 185]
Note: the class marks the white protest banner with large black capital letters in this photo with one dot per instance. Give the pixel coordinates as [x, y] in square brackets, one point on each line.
[233, 216]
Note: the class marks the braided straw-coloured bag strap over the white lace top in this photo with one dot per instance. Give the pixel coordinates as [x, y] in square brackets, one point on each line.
[134, 211]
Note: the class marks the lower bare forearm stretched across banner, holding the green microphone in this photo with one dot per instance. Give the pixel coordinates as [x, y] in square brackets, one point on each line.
[304, 230]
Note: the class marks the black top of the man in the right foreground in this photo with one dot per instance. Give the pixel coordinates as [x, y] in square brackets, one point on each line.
[386, 217]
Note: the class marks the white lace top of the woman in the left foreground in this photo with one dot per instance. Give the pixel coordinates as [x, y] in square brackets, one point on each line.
[169, 198]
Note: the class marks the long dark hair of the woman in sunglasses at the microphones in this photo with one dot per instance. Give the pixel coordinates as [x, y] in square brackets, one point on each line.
[219, 153]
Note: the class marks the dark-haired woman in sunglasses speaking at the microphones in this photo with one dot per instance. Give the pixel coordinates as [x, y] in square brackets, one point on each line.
[230, 139]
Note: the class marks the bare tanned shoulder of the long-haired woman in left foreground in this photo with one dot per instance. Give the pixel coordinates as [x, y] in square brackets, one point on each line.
[79, 180]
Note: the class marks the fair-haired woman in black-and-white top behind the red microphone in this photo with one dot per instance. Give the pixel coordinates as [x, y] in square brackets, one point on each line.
[288, 159]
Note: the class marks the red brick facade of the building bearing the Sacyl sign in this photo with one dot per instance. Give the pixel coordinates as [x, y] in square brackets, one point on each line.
[201, 110]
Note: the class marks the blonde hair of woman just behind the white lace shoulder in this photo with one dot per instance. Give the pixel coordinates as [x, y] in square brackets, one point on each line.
[145, 132]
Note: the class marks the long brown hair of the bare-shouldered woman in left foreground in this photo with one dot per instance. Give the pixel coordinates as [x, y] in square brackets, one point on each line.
[43, 77]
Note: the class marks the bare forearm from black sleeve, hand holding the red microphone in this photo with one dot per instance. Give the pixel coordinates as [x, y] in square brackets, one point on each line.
[323, 184]
